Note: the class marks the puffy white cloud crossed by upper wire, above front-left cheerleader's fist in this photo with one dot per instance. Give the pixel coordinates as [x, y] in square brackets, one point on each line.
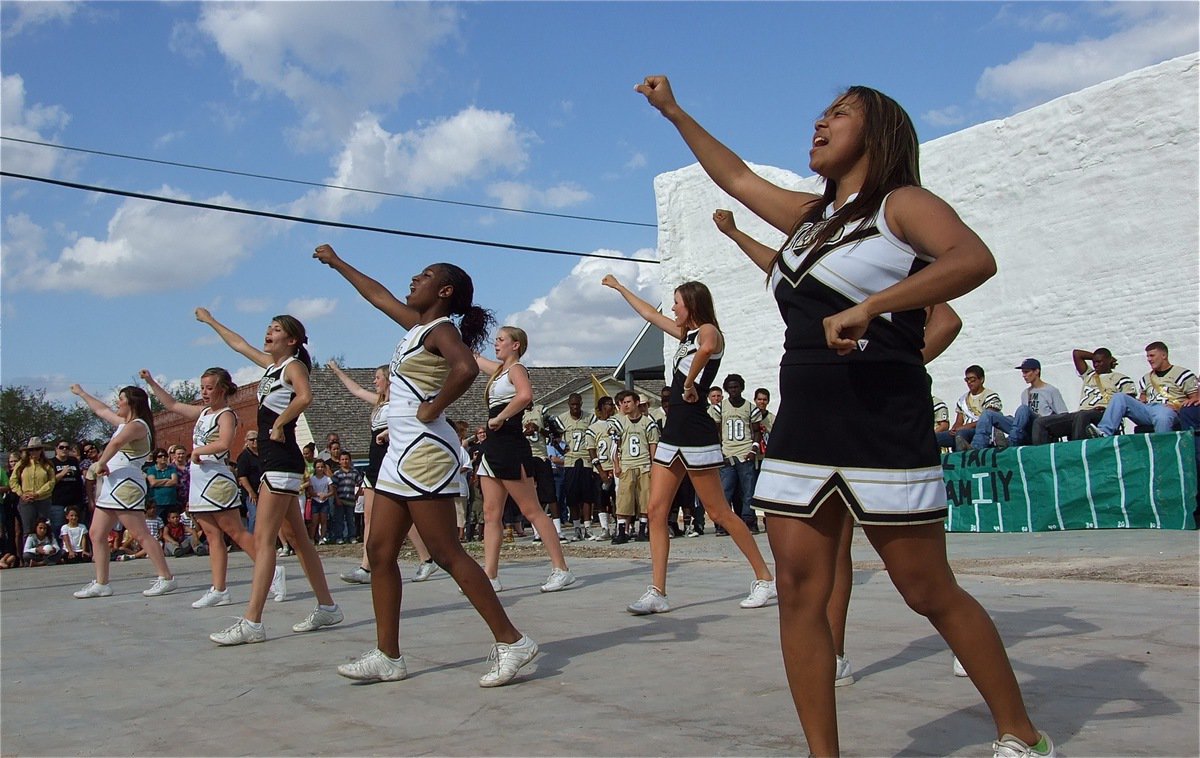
[435, 158]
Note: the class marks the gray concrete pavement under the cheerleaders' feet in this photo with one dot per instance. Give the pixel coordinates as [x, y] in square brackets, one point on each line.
[1108, 669]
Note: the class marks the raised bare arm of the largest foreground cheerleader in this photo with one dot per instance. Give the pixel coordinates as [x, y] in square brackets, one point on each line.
[778, 207]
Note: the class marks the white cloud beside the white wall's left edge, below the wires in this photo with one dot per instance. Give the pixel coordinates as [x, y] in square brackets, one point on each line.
[580, 321]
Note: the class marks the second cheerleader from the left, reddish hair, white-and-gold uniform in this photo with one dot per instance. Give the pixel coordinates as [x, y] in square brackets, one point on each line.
[213, 497]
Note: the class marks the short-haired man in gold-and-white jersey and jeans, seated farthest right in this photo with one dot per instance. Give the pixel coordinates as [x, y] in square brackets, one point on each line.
[1163, 392]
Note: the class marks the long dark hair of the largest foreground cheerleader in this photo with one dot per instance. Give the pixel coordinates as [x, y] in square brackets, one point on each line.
[890, 142]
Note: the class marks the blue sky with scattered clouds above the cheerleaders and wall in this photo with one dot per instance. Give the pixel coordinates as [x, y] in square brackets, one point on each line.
[521, 106]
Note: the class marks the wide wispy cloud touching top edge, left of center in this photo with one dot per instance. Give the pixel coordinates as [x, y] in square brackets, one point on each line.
[332, 63]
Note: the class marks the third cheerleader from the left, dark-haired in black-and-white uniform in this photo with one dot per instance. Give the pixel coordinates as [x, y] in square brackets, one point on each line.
[284, 394]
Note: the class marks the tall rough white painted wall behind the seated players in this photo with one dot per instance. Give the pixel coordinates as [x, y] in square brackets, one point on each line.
[1089, 203]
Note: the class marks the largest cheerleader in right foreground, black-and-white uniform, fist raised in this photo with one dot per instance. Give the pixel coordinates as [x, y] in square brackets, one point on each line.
[861, 263]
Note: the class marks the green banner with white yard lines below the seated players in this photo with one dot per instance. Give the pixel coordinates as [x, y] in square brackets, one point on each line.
[1131, 482]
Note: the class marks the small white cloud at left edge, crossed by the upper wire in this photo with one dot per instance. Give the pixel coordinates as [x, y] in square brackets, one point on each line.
[34, 122]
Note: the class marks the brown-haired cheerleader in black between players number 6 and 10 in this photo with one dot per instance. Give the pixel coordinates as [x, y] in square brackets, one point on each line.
[691, 444]
